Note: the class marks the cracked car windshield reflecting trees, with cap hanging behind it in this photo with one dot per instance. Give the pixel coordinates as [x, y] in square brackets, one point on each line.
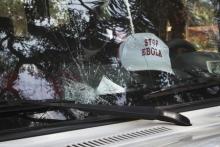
[109, 52]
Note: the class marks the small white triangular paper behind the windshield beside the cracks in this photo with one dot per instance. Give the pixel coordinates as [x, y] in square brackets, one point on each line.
[106, 86]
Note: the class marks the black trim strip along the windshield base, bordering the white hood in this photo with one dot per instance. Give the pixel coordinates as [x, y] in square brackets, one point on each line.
[59, 127]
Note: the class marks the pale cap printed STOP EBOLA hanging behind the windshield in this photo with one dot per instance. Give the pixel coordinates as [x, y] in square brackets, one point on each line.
[145, 51]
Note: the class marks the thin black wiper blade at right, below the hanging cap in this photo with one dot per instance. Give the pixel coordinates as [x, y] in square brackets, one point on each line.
[181, 88]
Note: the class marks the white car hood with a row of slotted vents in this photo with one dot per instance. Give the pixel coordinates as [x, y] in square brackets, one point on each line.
[205, 131]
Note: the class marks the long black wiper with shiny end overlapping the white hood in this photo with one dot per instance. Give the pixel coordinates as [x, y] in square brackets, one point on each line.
[138, 112]
